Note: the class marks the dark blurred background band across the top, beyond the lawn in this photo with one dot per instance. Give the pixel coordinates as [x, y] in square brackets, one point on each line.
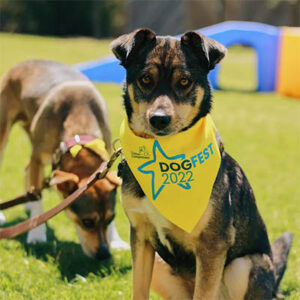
[105, 18]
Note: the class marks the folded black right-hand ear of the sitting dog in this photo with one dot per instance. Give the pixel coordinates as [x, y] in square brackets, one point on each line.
[210, 52]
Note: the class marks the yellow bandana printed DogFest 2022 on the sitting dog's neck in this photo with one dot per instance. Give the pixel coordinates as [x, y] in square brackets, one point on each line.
[176, 173]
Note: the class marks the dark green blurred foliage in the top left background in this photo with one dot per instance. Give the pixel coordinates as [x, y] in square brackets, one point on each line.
[99, 18]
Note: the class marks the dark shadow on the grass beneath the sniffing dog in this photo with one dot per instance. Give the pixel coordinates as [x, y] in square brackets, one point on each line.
[68, 256]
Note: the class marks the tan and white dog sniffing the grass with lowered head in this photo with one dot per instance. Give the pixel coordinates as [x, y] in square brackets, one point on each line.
[66, 118]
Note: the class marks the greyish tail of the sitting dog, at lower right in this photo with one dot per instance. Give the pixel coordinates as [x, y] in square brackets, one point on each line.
[280, 250]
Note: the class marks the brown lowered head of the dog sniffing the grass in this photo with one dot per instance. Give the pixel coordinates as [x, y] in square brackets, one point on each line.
[94, 210]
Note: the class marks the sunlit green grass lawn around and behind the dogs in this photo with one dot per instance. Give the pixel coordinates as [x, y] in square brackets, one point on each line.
[262, 131]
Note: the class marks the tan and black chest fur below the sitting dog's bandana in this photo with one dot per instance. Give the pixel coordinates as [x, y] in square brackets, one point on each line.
[173, 244]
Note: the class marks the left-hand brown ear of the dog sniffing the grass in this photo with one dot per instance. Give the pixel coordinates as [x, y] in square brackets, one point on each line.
[66, 182]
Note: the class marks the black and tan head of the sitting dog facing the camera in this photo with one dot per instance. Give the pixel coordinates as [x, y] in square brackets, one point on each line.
[167, 89]
